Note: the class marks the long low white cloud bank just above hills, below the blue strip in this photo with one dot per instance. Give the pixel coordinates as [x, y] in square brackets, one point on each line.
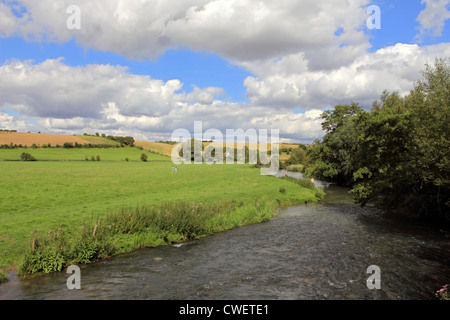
[54, 97]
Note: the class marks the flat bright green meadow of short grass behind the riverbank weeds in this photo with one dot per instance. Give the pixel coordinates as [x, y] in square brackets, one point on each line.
[55, 194]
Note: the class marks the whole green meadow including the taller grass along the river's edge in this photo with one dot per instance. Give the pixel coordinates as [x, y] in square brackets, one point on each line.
[59, 203]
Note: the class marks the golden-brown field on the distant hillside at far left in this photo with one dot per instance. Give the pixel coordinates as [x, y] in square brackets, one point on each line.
[27, 139]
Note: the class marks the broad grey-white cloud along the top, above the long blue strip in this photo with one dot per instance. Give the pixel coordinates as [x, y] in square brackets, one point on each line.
[235, 29]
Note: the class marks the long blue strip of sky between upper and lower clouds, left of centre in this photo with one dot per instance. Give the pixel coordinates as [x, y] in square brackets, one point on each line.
[201, 69]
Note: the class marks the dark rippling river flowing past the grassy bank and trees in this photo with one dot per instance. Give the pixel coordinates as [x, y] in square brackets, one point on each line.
[308, 252]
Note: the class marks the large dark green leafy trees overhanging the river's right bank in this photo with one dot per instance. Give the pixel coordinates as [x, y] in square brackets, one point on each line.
[398, 154]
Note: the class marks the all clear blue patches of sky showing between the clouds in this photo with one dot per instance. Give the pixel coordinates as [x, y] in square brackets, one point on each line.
[204, 69]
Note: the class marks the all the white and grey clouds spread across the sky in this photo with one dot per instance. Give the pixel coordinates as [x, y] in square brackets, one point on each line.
[303, 55]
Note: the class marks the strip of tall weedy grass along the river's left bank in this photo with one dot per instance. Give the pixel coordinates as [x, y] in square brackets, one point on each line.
[131, 228]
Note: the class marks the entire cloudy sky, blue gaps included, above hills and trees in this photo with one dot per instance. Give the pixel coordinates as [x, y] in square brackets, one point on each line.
[266, 68]
